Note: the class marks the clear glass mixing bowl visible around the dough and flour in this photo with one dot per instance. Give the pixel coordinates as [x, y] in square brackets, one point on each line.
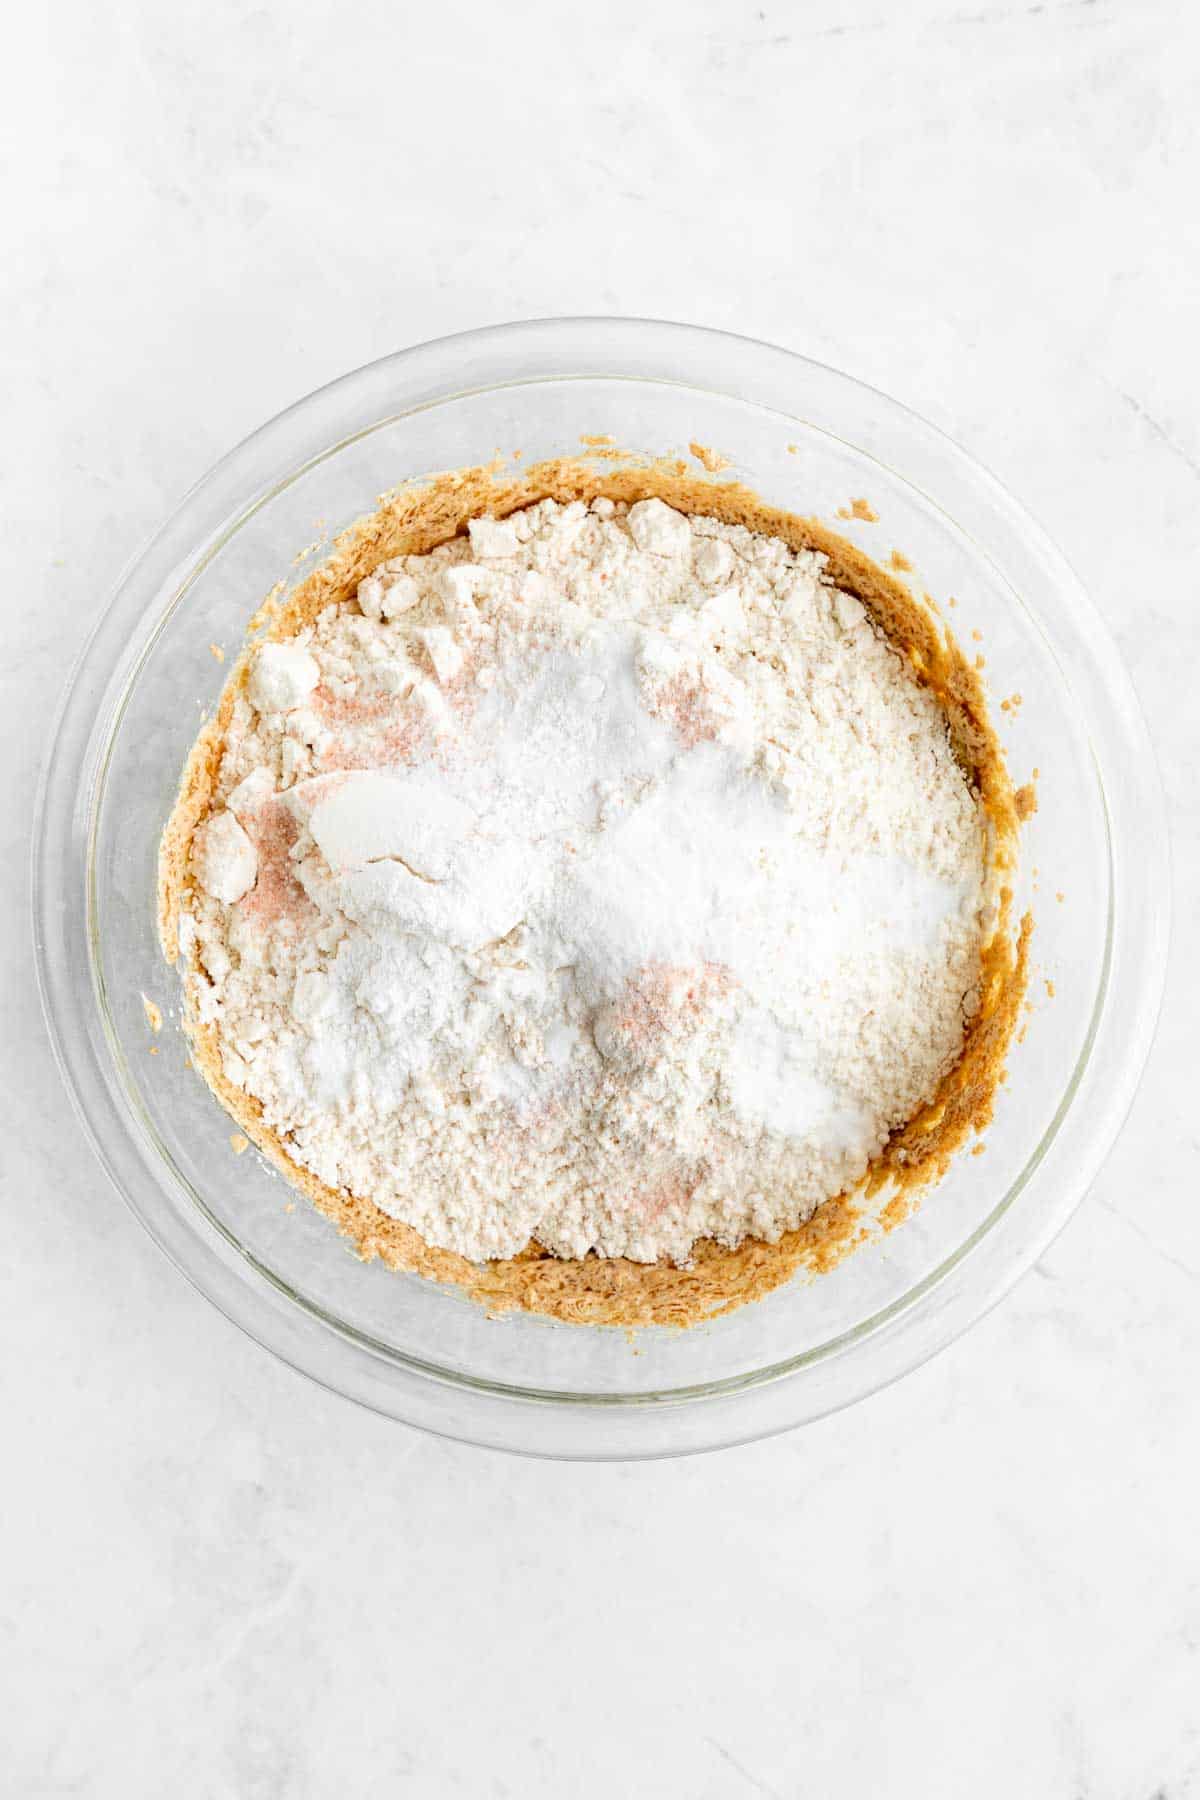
[809, 440]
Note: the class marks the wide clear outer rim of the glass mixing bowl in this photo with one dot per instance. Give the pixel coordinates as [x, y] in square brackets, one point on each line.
[530, 352]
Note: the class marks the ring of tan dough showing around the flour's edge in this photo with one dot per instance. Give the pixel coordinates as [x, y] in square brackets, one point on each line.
[596, 1291]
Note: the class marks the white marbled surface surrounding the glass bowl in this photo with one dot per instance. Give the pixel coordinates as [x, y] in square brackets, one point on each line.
[219, 1579]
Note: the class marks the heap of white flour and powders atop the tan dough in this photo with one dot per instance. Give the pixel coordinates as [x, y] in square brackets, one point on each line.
[604, 879]
